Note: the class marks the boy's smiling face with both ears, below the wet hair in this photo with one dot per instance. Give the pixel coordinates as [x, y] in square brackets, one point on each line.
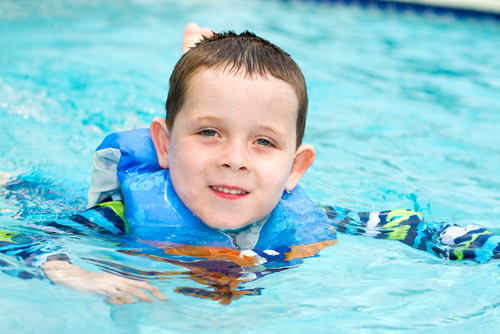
[232, 147]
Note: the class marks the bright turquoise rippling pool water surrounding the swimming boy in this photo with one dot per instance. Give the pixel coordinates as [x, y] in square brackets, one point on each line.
[404, 113]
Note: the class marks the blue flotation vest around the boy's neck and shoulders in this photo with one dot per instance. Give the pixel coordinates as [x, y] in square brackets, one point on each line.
[155, 213]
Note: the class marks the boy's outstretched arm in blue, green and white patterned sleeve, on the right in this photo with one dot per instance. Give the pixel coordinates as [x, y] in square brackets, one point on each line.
[448, 241]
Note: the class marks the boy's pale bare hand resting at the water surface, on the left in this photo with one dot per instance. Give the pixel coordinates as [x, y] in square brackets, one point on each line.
[119, 290]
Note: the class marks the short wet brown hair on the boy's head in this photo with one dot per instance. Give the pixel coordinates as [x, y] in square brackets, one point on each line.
[245, 54]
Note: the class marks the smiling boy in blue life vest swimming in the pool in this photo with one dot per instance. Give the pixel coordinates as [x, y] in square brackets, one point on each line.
[230, 153]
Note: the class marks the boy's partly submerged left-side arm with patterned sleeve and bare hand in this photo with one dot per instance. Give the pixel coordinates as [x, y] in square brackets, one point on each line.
[56, 264]
